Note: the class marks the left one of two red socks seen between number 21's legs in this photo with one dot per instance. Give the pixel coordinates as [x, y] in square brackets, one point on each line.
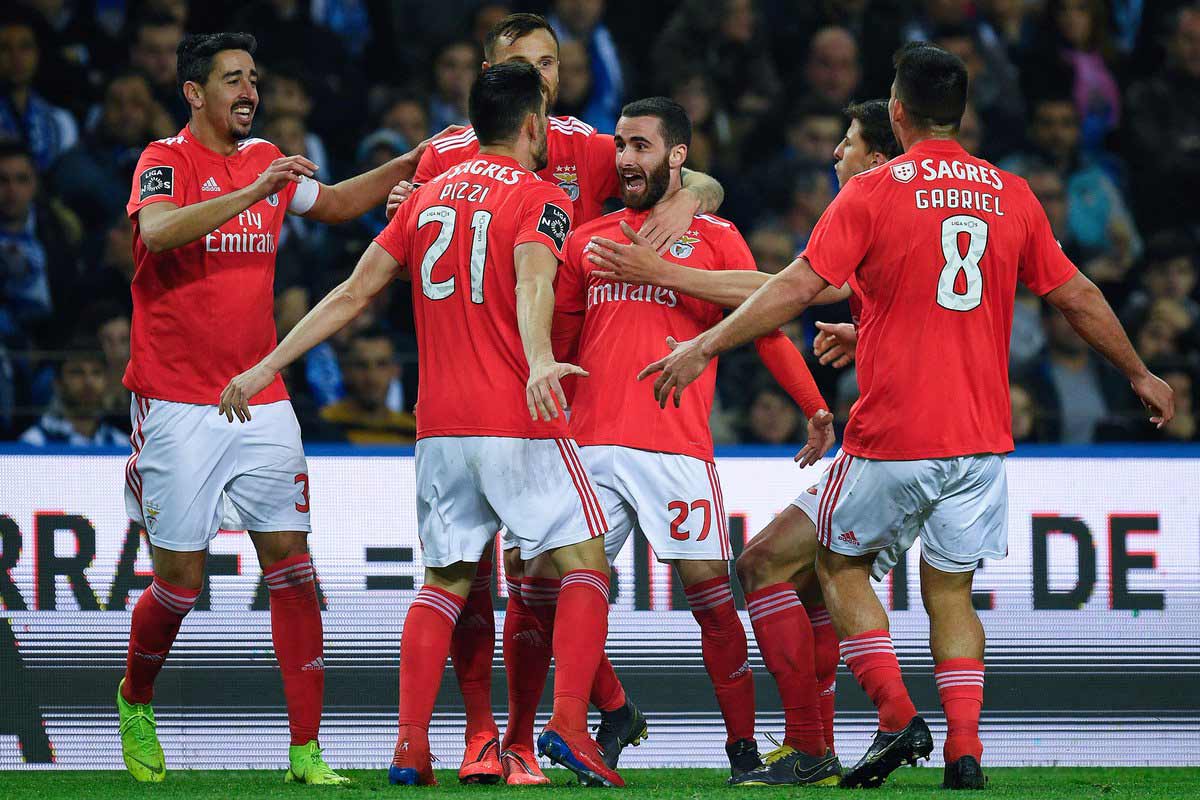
[471, 651]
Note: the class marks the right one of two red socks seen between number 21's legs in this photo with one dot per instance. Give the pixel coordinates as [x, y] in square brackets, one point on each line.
[527, 653]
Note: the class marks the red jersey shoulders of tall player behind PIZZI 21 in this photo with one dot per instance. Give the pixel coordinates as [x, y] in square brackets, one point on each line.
[580, 161]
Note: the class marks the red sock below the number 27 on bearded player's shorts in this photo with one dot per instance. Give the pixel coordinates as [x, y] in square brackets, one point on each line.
[727, 658]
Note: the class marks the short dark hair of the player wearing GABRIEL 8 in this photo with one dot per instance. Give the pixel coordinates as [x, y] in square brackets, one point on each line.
[932, 83]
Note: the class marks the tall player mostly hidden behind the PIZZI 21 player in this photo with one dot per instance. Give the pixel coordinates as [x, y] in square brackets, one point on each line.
[580, 161]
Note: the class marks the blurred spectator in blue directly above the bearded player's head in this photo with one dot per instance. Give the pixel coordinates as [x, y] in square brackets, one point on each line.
[580, 21]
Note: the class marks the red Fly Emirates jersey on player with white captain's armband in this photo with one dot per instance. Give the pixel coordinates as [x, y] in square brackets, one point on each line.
[206, 312]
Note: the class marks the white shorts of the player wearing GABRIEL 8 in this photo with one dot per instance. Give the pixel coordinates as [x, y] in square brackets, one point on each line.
[958, 507]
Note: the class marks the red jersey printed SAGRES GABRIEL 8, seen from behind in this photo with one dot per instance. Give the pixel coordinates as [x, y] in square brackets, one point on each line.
[934, 243]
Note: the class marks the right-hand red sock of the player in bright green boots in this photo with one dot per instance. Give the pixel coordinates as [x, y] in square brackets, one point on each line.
[299, 645]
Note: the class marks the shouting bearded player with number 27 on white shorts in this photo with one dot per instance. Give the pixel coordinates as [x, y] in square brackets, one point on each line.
[657, 473]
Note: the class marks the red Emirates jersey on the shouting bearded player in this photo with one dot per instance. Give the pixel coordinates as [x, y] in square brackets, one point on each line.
[626, 328]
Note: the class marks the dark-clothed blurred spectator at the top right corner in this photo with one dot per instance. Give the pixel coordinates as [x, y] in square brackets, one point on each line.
[1165, 130]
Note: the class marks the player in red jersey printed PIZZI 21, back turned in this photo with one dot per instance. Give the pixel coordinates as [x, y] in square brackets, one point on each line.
[483, 242]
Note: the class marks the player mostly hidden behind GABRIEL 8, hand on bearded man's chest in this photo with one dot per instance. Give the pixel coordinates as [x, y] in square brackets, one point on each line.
[777, 564]
